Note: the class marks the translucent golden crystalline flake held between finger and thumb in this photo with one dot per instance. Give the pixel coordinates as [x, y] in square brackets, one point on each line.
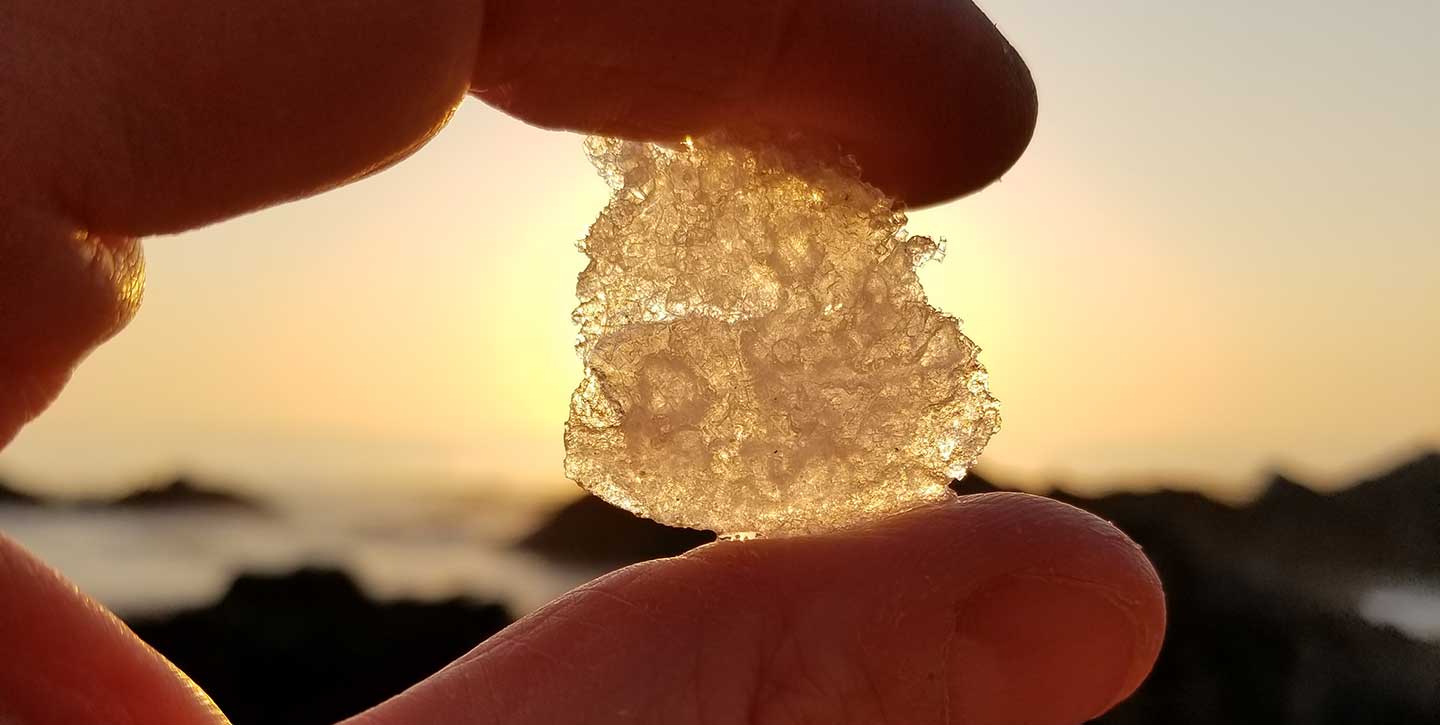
[760, 357]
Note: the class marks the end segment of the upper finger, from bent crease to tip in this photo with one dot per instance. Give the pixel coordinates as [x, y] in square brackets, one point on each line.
[928, 94]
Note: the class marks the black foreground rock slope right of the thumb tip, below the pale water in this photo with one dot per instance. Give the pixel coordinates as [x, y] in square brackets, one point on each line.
[1241, 654]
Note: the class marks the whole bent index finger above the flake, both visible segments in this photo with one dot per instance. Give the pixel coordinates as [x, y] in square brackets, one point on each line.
[161, 116]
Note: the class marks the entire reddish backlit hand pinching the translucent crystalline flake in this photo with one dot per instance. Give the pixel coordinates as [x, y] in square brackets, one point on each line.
[125, 119]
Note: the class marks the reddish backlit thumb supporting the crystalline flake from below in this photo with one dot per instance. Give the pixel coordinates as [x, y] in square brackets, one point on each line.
[996, 609]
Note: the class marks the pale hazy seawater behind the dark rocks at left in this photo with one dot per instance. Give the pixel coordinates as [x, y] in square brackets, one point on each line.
[395, 546]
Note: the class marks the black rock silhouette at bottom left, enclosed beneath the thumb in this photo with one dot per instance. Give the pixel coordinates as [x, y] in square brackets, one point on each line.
[310, 648]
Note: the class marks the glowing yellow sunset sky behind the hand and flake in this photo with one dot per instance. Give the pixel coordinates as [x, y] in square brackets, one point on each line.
[1220, 254]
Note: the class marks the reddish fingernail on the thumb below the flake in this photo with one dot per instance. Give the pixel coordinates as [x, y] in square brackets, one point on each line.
[1056, 649]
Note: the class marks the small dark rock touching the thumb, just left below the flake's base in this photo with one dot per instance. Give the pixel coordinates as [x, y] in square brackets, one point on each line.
[591, 531]
